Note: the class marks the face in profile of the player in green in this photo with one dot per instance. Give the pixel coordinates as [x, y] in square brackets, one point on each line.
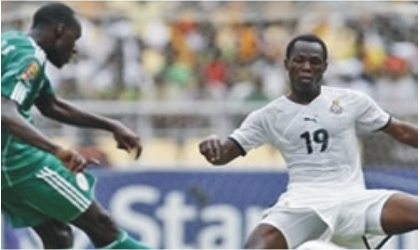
[64, 45]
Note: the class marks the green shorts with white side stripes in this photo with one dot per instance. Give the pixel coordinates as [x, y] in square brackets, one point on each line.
[52, 192]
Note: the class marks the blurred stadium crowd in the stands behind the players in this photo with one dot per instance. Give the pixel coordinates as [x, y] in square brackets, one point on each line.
[167, 51]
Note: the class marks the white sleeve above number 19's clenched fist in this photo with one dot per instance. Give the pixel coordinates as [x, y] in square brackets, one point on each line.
[251, 134]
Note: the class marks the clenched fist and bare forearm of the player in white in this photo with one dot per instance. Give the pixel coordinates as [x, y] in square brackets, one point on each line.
[217, 152]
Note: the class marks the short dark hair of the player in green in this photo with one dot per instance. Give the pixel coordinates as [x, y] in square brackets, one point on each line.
[53, 13]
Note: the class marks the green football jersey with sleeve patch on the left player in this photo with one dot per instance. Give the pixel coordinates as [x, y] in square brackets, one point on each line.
[23, 79]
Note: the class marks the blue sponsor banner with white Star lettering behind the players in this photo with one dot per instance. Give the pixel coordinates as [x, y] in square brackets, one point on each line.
[192, 209]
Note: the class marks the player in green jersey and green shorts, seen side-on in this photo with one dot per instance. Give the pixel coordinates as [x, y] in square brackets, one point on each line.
[43, 185]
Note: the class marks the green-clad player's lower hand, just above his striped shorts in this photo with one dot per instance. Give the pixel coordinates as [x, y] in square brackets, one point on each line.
[73, 160]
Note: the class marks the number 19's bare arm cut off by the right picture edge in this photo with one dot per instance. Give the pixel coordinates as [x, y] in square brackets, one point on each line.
[403, 131]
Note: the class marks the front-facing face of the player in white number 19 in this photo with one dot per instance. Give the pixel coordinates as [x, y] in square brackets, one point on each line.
[306, 66]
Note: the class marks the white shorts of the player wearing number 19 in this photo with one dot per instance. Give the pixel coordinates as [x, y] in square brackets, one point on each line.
[343, 220]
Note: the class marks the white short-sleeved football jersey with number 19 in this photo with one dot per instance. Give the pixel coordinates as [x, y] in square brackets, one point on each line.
[318, 141]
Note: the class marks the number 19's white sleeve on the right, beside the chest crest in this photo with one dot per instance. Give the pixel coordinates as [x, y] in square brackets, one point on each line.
[370, 117]
